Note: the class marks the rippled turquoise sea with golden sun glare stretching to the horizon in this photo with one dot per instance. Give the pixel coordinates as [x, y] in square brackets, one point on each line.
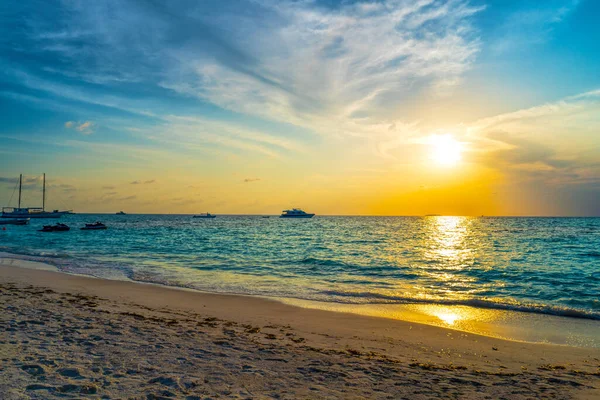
[540, 265]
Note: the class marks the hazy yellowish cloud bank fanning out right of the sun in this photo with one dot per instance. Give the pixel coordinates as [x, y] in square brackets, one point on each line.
[554, 144]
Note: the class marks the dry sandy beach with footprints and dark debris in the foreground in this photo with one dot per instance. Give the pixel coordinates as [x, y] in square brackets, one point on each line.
[72, 336]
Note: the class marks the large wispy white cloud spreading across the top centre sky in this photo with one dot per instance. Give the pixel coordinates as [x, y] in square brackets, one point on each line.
[321, 64]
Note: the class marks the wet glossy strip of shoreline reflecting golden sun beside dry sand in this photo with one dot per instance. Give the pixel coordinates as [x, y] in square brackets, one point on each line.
[499, 323]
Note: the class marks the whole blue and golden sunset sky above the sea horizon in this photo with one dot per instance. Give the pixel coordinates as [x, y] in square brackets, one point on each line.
[392, 107]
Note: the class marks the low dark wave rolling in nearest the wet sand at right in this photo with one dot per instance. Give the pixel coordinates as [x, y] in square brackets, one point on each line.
[379, 298]
